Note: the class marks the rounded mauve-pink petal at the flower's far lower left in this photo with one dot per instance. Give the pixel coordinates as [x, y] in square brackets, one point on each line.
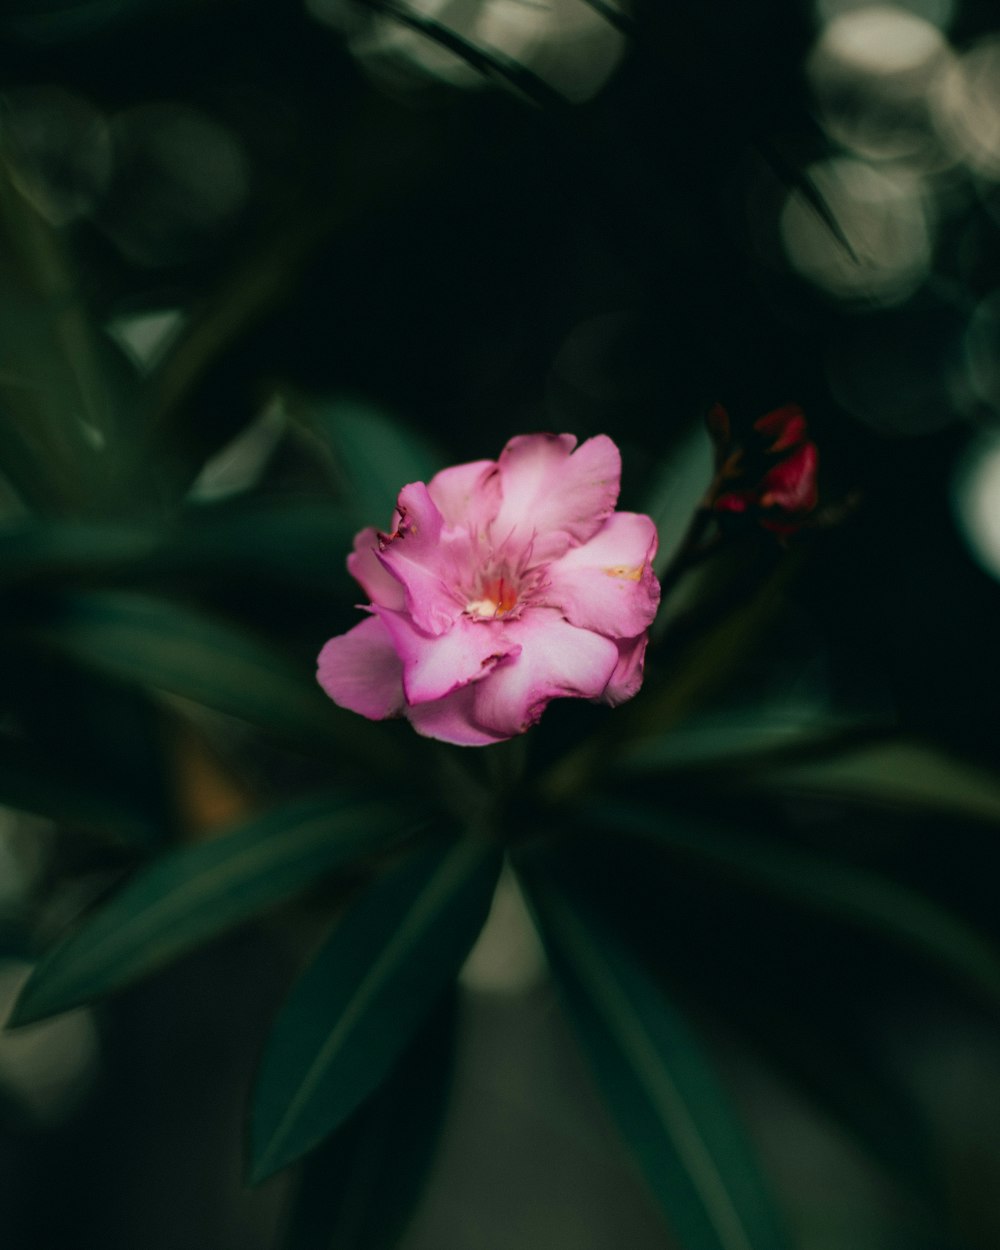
[361, 671]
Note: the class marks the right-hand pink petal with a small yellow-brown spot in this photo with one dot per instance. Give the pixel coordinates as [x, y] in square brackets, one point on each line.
[608, 583]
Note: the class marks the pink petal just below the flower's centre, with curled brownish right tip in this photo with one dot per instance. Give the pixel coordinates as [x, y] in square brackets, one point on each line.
[434, 666]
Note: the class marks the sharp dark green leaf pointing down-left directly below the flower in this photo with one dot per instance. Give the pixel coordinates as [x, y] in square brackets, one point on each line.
[357, 1007]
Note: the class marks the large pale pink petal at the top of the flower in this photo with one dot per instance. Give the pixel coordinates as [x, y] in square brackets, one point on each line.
[556, 498]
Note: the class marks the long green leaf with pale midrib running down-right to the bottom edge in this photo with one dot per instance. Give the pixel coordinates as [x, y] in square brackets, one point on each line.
[658, 1082]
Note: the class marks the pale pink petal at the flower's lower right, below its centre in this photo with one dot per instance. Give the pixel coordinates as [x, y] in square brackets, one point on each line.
[557, 659]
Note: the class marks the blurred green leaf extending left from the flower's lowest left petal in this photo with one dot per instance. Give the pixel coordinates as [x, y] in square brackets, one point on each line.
[177, 649]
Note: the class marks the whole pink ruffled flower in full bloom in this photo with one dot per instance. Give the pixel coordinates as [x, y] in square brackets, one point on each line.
[503, 586]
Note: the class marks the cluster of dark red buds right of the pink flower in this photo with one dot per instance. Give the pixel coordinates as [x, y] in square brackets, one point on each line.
[776, 482]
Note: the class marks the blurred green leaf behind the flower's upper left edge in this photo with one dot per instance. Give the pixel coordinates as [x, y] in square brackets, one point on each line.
[374, 454]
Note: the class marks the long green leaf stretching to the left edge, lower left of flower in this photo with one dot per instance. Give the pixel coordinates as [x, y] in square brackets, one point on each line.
[192, 896]
